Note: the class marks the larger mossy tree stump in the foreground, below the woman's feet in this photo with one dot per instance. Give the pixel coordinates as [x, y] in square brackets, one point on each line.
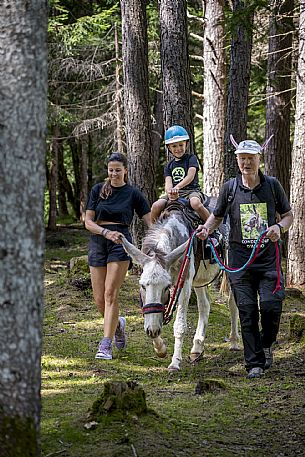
[119, 400]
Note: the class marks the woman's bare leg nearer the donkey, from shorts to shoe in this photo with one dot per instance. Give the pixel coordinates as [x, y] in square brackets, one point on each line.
[116, 272]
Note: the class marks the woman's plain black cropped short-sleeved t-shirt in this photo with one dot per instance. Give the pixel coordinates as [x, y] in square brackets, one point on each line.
[119, 207]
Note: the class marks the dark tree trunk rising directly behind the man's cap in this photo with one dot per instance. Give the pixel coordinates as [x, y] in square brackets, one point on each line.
[239, 80]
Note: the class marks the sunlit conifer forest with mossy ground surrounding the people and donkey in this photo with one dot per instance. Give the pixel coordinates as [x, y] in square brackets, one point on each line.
[80, 80]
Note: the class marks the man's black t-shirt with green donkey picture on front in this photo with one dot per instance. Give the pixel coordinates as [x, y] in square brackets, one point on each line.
[251, 212]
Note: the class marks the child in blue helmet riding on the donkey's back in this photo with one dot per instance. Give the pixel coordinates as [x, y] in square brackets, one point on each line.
[181, 175]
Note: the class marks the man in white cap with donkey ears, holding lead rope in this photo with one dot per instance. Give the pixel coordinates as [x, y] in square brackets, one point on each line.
[253, 208]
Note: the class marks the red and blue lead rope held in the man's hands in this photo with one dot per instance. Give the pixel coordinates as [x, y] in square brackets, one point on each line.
[171, 307]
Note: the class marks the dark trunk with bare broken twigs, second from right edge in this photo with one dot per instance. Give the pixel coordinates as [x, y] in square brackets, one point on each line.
[277, 157]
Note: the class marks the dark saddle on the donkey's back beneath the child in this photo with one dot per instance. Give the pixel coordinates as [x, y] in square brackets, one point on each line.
[202, 249]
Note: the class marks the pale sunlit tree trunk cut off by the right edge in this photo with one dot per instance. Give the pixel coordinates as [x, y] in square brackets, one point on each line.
[296, 244]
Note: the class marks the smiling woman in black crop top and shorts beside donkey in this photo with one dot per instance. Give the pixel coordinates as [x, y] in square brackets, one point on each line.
[110, 210]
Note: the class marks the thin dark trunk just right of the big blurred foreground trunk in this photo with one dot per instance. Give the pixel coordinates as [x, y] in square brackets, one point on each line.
[53, 179]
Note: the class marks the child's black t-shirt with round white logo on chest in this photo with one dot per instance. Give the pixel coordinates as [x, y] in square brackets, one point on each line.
[178, 169]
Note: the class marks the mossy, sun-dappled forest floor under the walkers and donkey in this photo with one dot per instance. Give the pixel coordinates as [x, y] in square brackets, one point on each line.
[242, 417]
